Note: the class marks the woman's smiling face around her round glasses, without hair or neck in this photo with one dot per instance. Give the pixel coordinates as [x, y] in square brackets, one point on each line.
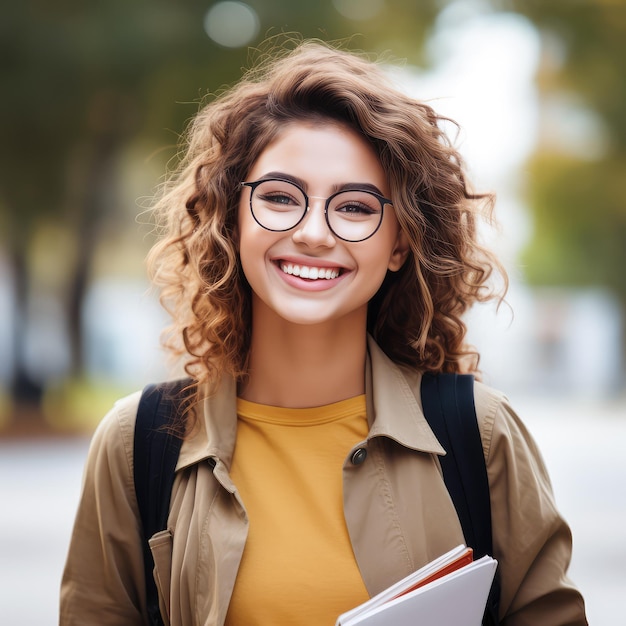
[307, 275]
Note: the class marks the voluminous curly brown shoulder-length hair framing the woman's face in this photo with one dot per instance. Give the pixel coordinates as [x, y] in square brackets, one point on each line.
[417, 315]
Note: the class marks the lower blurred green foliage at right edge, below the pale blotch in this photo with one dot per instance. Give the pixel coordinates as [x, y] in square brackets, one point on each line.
[579, 217]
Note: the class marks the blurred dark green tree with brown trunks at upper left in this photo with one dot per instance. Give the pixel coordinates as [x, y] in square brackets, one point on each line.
[81, 81]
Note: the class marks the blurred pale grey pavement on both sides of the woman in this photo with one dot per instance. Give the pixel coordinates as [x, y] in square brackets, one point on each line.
[583, 443]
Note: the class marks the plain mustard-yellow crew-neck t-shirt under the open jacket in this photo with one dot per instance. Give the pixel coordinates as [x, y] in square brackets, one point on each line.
[298, 566]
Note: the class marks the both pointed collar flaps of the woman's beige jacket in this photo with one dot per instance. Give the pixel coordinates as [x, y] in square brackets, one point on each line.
[393, 406]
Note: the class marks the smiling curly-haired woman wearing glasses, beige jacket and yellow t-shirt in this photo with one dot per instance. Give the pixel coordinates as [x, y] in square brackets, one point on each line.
[319, 253]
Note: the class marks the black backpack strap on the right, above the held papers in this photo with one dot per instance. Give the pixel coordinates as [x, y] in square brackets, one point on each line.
[448, 403]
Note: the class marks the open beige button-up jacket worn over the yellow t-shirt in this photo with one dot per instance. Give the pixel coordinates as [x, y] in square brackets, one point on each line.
[397, 509]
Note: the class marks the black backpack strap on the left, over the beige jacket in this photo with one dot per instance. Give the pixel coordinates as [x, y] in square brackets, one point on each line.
[155, 453]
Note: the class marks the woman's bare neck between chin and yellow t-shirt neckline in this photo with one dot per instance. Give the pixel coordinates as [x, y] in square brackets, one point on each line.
[298, 366]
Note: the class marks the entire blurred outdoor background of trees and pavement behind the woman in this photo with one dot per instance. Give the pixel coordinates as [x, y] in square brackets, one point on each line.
[94, 99]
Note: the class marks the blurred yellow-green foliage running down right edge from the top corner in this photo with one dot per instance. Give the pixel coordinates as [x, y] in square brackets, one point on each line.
[578, 197]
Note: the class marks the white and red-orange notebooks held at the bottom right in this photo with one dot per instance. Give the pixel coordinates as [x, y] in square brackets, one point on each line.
[450, 591]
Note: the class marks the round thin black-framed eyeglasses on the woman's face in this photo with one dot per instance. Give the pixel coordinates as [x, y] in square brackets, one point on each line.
[279, 205]
